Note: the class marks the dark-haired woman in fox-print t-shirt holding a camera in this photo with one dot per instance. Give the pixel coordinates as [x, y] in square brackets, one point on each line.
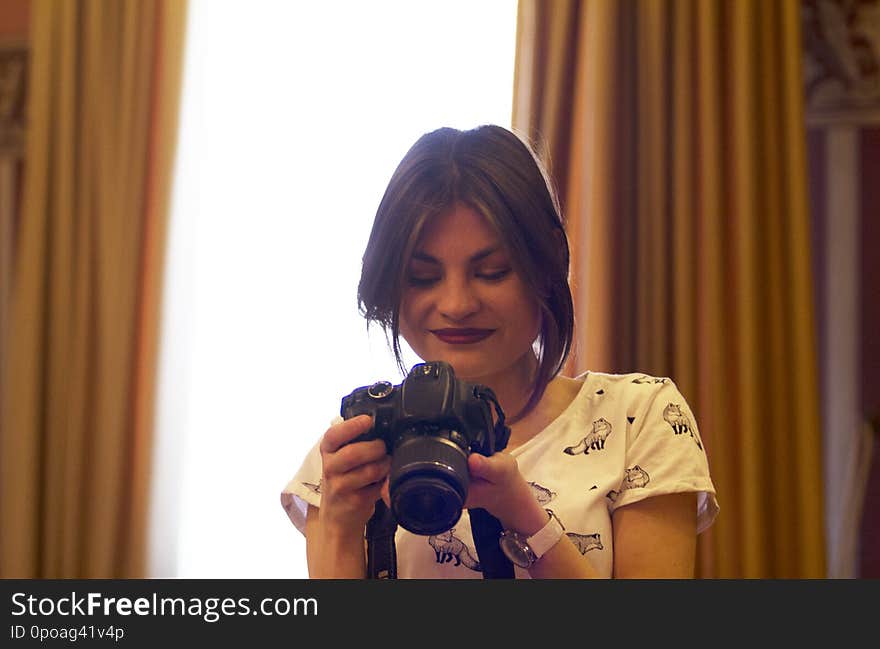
[604, 475]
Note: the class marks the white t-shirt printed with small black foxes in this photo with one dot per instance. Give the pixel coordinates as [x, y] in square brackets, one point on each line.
[623, 438]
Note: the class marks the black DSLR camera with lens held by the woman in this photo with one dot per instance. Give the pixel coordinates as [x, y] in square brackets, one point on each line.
[430, 423]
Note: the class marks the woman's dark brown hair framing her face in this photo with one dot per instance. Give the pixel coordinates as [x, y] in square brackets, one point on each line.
[495, 173]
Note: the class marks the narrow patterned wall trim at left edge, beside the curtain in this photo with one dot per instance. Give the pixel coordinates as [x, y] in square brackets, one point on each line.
[13, 97]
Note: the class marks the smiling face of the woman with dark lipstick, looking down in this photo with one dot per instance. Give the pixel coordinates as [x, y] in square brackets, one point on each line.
[464, 304]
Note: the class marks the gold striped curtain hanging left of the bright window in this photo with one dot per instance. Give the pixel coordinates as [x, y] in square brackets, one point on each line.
[79, 360]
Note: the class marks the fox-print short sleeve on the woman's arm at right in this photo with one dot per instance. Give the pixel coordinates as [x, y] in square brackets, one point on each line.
[665, 453]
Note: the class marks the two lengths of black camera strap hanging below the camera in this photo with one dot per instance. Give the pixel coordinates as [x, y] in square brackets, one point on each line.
[382, 553]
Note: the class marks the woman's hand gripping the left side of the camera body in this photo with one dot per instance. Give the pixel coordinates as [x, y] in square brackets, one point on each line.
[352, 479]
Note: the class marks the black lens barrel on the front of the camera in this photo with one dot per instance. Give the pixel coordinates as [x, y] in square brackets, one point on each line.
[428, 483]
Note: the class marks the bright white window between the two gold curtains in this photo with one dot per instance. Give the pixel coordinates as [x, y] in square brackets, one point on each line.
[294, 116]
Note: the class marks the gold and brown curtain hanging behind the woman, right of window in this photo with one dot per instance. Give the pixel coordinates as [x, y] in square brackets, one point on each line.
[674, 130]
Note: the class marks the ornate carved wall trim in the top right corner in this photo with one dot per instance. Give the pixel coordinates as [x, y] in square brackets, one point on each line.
[841, 40]
